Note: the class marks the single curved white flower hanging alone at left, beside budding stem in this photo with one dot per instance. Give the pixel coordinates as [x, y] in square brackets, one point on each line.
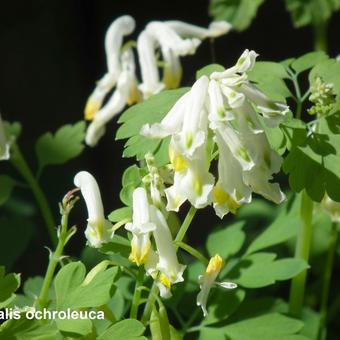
[99, 230]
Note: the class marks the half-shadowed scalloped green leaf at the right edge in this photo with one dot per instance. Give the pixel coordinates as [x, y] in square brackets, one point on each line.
[314, 161]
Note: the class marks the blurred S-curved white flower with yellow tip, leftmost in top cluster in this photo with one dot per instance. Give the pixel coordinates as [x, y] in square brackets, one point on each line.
[121, 27]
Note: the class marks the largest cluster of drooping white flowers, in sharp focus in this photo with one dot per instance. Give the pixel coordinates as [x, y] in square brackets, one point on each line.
[222, 110]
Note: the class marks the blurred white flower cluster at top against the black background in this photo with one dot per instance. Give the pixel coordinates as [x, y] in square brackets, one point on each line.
[173, 38]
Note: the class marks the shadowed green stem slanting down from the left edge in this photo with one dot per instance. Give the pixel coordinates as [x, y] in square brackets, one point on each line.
[20, 164]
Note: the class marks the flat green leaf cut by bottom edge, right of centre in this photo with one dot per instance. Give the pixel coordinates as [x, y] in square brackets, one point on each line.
[265, 327]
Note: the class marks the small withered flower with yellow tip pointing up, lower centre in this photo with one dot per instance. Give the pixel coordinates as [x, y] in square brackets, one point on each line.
[207, 281]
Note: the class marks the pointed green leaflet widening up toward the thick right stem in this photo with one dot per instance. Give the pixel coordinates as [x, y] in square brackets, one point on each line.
[283, 228]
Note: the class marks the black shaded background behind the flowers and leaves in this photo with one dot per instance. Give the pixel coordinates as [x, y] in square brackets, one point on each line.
[52, 53]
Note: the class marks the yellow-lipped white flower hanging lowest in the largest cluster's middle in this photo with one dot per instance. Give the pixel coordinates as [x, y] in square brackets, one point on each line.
[230, 191]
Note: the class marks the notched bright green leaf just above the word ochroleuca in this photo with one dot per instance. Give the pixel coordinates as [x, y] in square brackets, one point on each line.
[73, 292]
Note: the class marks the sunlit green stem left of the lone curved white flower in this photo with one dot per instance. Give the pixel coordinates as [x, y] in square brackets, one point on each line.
[54, 260]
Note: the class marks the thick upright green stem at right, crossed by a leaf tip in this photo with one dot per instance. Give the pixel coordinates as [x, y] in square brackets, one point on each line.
[303, 243]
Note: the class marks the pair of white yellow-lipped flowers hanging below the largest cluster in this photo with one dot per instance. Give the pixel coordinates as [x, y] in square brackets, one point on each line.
[161, 264]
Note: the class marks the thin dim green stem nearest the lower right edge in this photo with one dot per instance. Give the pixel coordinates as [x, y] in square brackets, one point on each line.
[327, 280]
